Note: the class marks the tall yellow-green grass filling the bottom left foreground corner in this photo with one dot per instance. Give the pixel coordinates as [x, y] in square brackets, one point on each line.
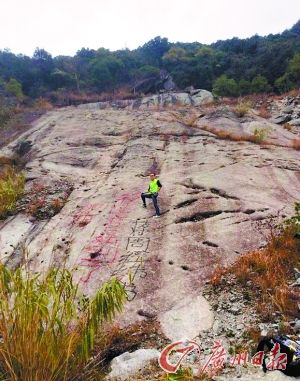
[47, 328]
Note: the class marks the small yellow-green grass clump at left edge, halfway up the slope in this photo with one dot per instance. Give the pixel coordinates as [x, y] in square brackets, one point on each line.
[11, 188]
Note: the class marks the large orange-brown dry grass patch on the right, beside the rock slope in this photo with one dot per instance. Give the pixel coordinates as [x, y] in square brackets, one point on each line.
[265, 275]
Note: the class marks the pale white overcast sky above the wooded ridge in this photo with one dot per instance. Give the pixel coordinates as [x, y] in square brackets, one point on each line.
[62, 27]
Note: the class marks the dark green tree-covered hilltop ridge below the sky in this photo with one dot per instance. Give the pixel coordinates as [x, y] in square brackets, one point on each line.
[232, 67]
